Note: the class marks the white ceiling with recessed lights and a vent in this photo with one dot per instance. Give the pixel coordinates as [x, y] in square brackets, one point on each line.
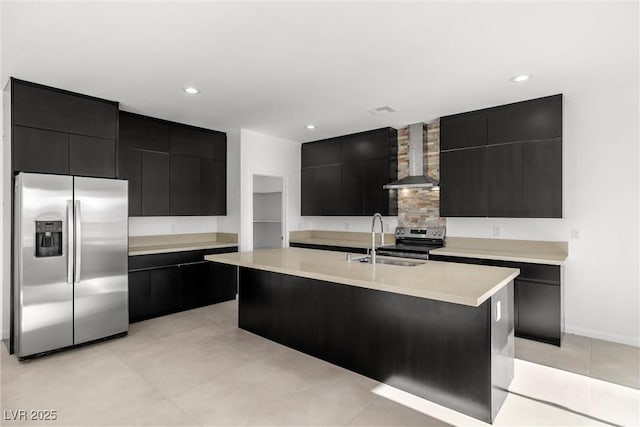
[274, 67]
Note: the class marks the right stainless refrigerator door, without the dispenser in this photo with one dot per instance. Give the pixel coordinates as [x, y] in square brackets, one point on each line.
[101, 282]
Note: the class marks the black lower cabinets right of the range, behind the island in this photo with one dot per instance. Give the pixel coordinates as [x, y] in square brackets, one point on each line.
[537, 297]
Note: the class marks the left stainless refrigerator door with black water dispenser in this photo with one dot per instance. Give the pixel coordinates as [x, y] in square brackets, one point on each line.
[43, 280]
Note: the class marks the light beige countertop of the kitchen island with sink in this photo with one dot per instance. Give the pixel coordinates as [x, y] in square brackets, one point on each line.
[442, 281]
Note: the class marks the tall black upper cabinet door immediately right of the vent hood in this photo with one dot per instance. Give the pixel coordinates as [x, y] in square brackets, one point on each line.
[463, 183]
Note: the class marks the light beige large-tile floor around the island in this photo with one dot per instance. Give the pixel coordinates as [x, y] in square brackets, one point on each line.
[197, 368]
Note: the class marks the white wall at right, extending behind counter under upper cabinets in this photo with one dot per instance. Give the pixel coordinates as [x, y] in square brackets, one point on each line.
[601, 199]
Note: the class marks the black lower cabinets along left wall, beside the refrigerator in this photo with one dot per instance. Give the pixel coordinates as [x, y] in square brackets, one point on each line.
[170, 282]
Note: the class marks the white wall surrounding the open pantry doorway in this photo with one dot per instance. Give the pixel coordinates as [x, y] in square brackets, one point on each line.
[266, 155]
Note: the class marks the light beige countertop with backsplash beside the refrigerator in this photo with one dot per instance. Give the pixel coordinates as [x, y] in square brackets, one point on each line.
[146, 245]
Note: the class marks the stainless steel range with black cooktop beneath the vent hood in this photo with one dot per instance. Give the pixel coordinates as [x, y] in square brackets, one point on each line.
[415, 242]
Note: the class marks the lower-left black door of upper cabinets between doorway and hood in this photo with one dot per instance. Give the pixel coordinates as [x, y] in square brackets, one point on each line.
[321, 191]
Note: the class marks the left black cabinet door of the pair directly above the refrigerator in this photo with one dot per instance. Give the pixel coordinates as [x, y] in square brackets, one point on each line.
[40, 151]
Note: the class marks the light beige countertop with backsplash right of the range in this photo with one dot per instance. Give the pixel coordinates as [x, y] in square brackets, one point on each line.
[531, 251]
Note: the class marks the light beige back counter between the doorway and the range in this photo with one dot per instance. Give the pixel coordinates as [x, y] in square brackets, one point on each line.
[346, 239]
